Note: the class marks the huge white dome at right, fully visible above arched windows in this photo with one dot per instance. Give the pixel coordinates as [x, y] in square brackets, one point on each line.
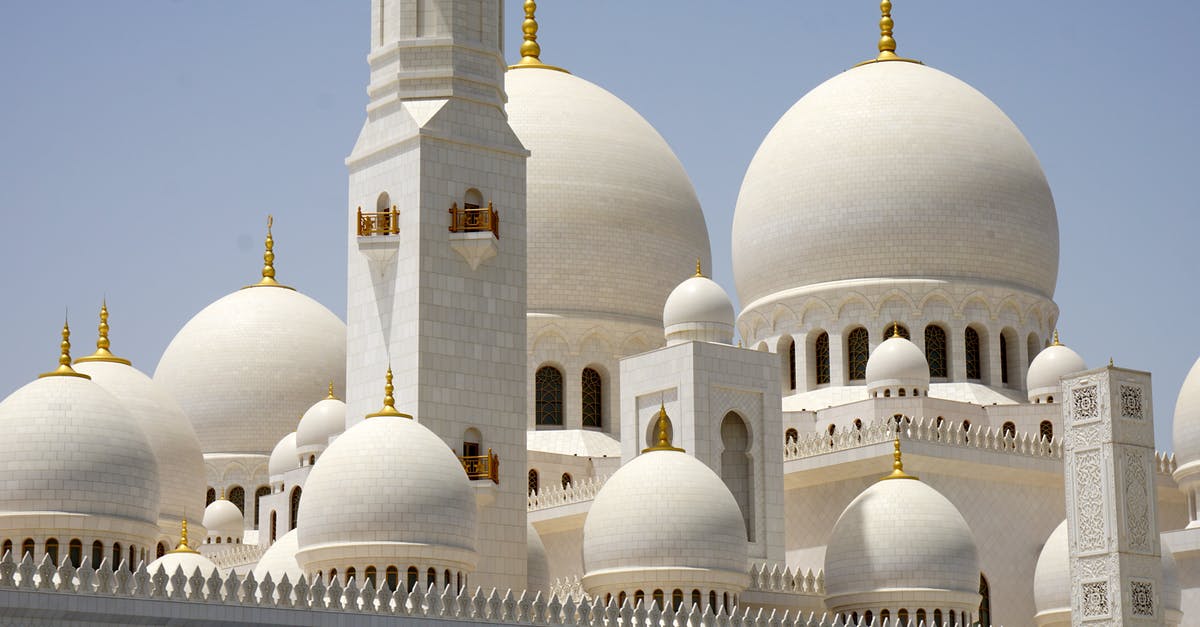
[895, 170]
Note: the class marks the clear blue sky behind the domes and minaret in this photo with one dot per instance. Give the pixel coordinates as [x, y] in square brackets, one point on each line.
[143, 144]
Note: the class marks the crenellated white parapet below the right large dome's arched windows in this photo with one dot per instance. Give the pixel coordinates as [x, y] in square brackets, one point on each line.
[945, 434]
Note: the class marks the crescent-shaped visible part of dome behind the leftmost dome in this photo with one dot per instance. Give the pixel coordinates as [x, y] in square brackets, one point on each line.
[182, 475]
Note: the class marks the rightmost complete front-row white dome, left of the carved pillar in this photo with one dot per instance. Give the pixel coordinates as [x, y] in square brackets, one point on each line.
[939, 566]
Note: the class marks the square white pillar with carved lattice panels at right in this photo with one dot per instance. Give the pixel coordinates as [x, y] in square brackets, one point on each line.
[1117, 574]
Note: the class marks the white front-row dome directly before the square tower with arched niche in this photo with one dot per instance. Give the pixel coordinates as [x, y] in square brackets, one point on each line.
[664, 521]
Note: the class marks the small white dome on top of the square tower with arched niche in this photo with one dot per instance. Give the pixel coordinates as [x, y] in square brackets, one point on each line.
[699, 309]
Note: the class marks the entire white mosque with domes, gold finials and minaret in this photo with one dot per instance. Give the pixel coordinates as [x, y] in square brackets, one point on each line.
[537, 389]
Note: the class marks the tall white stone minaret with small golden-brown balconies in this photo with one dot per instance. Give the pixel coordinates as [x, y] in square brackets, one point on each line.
[437, 254]
